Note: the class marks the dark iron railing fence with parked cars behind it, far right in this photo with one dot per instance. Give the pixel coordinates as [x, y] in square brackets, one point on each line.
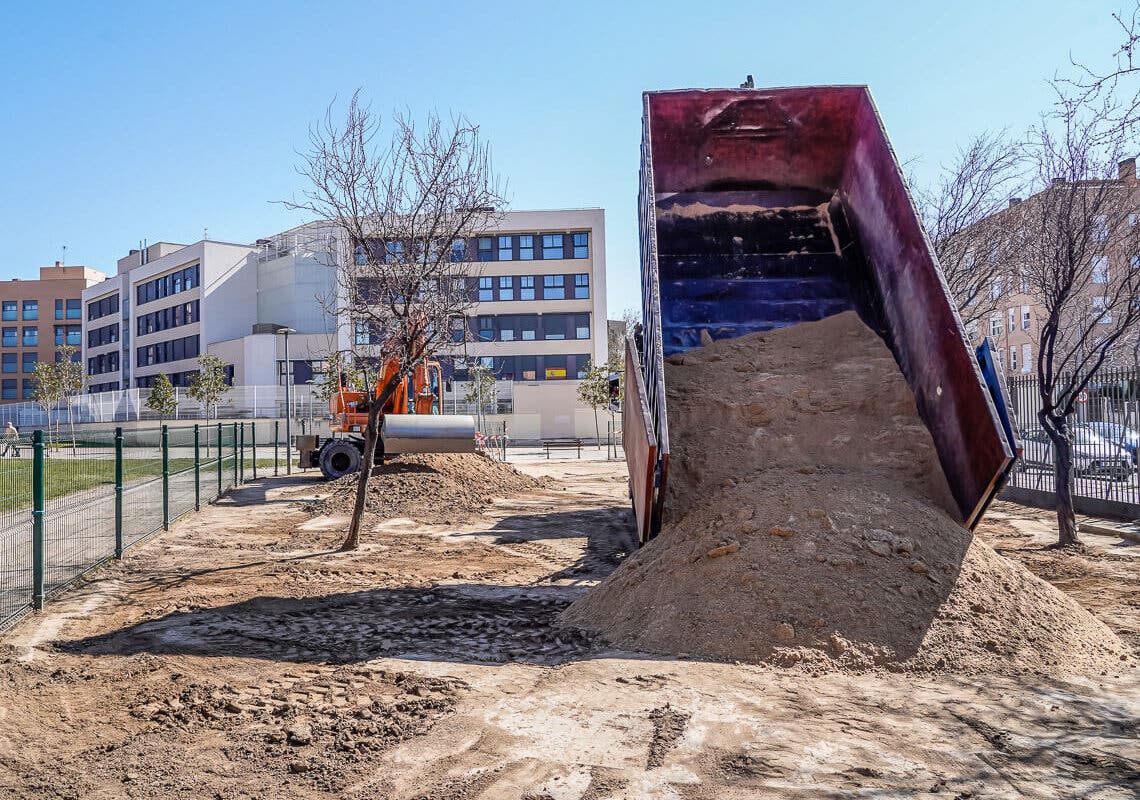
[1106, 443]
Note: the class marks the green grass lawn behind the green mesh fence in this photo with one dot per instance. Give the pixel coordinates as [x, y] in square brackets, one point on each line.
[69, 476]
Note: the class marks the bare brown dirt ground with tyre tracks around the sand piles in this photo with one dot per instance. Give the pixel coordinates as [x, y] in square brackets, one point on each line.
[241, 656]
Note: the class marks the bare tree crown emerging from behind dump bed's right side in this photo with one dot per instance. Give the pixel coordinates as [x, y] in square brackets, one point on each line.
[978, 260]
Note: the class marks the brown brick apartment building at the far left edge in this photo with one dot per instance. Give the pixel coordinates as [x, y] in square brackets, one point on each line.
[36, 317]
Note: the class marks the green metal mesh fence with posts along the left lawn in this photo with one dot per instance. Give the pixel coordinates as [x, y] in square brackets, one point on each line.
[70, 503]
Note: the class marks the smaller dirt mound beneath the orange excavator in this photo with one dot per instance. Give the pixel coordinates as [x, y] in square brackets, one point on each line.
[443, 488]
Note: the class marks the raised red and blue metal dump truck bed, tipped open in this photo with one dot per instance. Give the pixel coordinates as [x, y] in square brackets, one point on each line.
[766, 208]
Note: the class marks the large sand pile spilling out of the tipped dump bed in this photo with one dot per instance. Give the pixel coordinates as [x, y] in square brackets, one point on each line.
[808, 521]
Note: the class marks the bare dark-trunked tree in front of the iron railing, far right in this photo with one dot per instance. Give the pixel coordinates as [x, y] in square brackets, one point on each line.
[1078, 240]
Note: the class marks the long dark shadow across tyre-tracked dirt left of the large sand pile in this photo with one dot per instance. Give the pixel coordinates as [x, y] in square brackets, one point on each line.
[469, 624]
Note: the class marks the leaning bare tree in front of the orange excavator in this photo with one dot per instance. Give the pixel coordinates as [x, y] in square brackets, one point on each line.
[404, 209]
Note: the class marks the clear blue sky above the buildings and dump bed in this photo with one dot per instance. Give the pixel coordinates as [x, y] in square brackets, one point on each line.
[129, 121]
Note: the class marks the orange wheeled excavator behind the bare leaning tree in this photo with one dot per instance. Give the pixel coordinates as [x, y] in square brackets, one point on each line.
[412, 421]
